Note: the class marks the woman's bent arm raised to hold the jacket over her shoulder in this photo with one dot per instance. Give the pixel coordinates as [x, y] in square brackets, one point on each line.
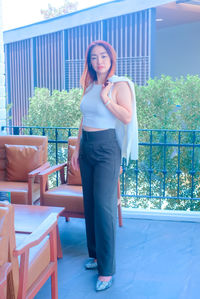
[122, 107]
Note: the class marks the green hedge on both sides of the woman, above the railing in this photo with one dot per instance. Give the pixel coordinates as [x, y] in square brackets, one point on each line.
[161, 104]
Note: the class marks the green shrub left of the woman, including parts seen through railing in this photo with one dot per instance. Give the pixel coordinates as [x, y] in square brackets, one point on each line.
[59, 109]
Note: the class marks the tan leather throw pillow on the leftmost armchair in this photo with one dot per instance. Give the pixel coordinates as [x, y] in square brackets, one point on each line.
[20, 160]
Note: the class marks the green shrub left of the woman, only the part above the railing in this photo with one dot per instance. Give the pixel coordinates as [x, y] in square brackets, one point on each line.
[59, 109]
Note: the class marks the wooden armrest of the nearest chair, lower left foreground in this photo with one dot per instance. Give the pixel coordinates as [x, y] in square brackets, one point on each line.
[38, 235]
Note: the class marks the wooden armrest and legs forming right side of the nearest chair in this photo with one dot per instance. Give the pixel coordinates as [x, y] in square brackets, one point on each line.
[47, 227]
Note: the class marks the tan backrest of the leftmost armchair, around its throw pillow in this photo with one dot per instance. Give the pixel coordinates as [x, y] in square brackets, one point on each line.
[21, 140]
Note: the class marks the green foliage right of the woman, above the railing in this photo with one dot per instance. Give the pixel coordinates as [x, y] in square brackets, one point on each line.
[167, 104]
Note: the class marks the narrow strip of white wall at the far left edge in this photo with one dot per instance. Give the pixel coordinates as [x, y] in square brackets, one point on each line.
[2, 72]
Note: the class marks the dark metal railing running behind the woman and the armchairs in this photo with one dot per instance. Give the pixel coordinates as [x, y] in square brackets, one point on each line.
[166, 176]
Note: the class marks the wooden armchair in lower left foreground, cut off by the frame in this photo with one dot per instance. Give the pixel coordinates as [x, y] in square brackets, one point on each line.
[19, 282]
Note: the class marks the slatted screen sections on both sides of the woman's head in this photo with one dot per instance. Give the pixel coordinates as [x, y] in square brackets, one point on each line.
[129, 35]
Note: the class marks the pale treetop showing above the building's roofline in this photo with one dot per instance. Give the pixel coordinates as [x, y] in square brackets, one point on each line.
[51, 12]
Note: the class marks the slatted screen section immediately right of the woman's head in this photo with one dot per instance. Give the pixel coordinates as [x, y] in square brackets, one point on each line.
[129, 35]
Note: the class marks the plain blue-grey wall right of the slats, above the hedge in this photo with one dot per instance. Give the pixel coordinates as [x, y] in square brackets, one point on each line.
[177, 50]
